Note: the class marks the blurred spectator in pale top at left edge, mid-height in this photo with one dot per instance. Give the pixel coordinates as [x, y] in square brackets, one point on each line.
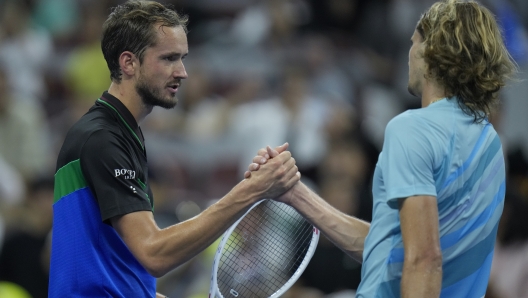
[23, 133]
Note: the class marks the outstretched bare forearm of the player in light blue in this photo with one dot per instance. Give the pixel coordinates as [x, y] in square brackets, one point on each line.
[345, 231]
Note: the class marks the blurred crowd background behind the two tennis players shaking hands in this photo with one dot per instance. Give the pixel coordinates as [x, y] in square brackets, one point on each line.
[326, 76]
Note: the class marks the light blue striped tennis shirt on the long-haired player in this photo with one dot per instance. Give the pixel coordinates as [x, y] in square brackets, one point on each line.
[437, 151]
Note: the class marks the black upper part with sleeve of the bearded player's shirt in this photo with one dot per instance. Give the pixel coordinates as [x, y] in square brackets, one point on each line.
[109, 145]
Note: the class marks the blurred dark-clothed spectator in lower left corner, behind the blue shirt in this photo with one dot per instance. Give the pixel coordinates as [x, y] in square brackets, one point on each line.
[24, 259]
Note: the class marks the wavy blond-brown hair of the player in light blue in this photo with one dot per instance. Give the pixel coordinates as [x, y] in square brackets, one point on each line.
[465, 53]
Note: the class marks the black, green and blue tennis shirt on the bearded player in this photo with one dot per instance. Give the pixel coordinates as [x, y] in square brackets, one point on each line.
[102, 172]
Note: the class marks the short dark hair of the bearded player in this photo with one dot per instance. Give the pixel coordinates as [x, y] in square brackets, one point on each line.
[131, 27]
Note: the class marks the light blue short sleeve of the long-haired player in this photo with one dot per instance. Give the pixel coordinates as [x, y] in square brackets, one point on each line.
[408, 159]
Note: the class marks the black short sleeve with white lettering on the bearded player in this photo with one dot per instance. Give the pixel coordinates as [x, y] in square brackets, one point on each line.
[114, 175]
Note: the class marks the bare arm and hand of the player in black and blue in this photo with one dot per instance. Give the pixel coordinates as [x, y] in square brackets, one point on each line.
[161, 250]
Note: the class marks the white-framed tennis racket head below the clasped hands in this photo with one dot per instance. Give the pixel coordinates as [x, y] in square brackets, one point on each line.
[263, 253]
